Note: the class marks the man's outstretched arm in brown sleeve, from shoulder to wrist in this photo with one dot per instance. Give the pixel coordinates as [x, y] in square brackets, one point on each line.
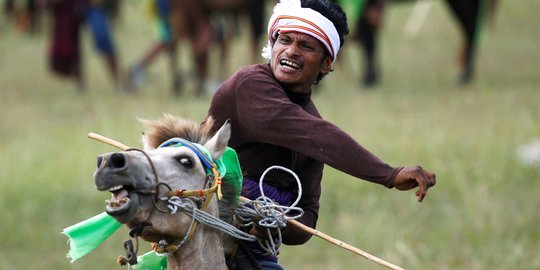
[265, 114]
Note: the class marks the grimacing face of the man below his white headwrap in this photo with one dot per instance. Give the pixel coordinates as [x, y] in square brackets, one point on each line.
[297, 60]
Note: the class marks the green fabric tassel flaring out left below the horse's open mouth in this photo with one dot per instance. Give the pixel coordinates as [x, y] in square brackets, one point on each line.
[87, 235]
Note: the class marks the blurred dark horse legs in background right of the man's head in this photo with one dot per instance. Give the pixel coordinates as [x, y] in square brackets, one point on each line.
[470, 15]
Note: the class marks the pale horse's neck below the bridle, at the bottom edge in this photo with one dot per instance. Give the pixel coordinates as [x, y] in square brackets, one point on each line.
[203, 251]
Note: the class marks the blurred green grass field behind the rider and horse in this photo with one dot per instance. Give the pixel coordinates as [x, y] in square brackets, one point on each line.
[481, 215]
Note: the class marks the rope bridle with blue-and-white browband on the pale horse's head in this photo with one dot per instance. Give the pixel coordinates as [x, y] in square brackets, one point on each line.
[212, 173]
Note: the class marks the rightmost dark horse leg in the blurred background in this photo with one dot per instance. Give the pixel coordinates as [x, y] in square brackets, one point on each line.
[467, 15]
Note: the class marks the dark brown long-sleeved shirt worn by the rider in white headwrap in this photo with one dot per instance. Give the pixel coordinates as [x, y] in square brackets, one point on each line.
[273, 126]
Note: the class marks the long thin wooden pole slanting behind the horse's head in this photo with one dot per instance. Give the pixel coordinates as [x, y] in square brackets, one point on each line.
[293, 222]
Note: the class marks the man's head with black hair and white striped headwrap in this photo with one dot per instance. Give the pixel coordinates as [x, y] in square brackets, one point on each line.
[304, 37]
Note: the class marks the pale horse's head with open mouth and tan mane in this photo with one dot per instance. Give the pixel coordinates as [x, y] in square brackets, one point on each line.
[138, 180]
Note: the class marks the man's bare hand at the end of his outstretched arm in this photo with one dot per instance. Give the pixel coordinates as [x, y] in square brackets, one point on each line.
[414, 176]
